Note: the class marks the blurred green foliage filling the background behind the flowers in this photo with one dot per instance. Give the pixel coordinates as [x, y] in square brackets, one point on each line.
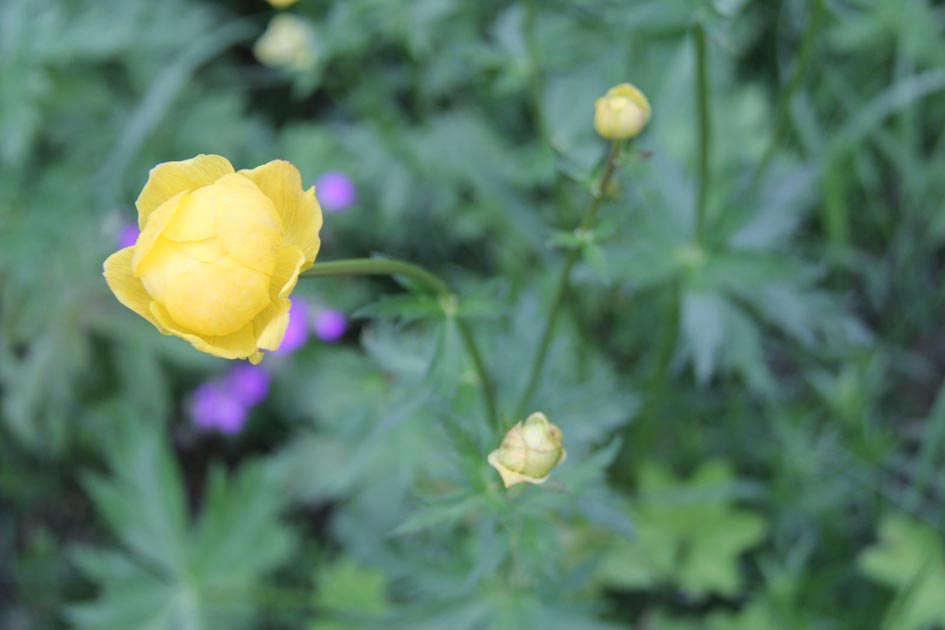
[751, 401]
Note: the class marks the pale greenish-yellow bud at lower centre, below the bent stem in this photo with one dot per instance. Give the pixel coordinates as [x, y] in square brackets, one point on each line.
[529, 452]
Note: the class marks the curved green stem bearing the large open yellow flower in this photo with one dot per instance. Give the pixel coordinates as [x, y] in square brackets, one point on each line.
[383, 267]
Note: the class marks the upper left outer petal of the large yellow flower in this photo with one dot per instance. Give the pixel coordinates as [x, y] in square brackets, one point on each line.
[170, 178]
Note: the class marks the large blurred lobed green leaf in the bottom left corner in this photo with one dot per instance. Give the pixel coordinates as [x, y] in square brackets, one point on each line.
[175, 573]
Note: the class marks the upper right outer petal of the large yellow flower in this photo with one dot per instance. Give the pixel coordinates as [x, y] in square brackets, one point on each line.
[301, 214]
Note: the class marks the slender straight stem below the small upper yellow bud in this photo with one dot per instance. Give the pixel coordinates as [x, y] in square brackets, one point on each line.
[564, 280]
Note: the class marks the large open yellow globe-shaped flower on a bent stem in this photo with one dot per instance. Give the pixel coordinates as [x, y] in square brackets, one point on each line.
[219, 253]
